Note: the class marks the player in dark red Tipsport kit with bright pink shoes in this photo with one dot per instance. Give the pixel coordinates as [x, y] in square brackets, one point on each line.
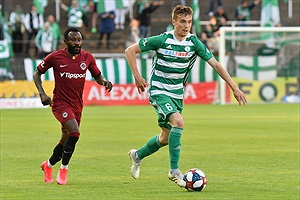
[69, 65]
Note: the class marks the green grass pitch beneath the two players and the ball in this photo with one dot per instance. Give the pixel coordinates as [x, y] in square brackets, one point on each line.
[247, 152]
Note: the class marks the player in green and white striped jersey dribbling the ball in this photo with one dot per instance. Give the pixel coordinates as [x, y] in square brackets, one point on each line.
[175, 55]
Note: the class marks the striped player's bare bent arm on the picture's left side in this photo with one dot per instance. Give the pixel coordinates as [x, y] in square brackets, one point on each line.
[130, 54]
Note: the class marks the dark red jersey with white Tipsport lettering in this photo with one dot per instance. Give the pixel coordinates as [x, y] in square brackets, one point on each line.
[69, 75]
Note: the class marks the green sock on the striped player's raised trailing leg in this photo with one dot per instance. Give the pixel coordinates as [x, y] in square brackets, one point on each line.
[149, 148]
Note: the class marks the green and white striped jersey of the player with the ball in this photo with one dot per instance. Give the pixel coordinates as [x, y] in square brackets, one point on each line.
[172, 62]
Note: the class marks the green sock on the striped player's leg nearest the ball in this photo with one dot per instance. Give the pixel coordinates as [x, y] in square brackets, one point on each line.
[174, 146]
